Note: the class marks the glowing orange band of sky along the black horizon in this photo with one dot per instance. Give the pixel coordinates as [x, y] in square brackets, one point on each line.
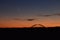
[12, 23]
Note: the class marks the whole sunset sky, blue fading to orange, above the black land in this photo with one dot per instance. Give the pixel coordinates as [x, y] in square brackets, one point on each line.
[25, 13]
